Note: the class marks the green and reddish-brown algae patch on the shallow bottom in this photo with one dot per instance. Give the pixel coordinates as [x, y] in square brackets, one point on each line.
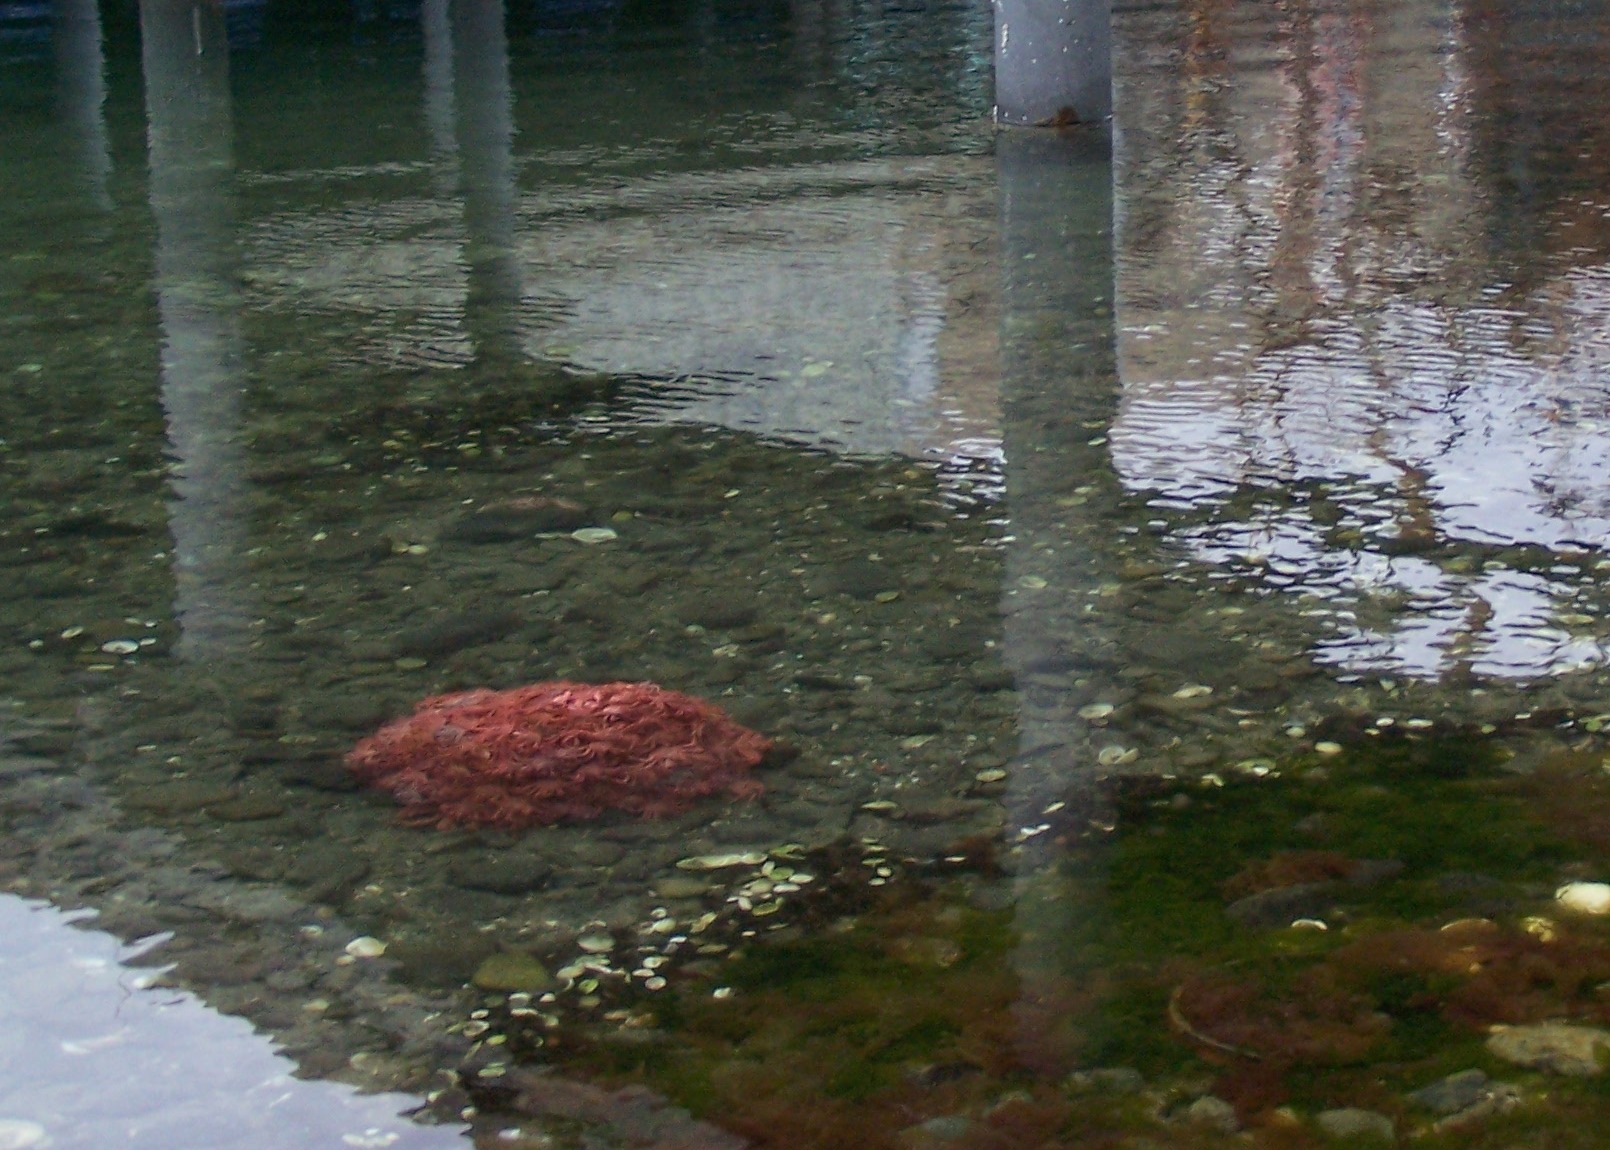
[1424, 874]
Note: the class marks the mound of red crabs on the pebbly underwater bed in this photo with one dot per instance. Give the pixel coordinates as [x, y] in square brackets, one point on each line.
[556, 751]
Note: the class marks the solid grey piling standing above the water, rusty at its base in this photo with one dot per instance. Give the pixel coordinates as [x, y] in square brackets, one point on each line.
[1054, 62]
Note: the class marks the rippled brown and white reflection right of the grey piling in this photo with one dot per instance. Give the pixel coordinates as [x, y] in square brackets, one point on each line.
[1321, 297]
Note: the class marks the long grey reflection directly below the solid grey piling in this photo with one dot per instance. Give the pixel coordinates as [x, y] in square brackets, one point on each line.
[1059, 386]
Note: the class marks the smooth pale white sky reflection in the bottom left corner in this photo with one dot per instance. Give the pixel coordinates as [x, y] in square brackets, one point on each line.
[99, 1054]
